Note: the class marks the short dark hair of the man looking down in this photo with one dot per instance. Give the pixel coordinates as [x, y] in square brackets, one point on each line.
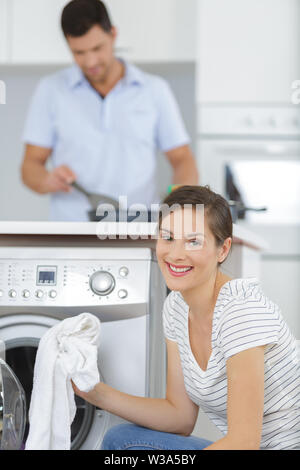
[79, 16]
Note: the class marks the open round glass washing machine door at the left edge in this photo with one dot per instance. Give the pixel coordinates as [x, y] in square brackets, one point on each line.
[12, 409]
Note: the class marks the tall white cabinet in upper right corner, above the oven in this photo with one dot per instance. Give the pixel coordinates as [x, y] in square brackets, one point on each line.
[247, 51]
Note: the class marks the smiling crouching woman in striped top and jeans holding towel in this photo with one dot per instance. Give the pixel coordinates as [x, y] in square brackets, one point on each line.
[229, 349]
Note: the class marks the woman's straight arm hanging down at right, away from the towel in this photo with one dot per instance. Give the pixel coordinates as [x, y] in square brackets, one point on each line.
[245, 401]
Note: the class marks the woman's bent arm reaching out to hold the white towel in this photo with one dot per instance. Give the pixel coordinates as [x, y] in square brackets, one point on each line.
[176, 413]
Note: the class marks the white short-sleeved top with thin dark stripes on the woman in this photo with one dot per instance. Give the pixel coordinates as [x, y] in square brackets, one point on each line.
[243, 318]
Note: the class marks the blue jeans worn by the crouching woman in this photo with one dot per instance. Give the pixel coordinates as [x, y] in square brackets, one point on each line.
[132, 437]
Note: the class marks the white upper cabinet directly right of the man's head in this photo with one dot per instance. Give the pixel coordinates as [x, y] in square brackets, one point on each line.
[155, 31]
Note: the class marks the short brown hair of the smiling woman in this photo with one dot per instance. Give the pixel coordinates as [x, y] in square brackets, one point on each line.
[215, 207]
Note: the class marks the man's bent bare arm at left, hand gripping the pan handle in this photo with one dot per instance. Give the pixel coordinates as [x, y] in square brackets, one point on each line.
[38, 178]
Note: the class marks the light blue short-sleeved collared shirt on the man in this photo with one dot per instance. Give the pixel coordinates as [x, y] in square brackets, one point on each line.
[111, 144]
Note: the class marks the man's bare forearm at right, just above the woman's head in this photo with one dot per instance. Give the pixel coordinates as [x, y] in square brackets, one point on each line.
[184, 165]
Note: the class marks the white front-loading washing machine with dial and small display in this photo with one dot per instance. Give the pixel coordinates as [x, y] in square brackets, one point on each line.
[122, 286]
